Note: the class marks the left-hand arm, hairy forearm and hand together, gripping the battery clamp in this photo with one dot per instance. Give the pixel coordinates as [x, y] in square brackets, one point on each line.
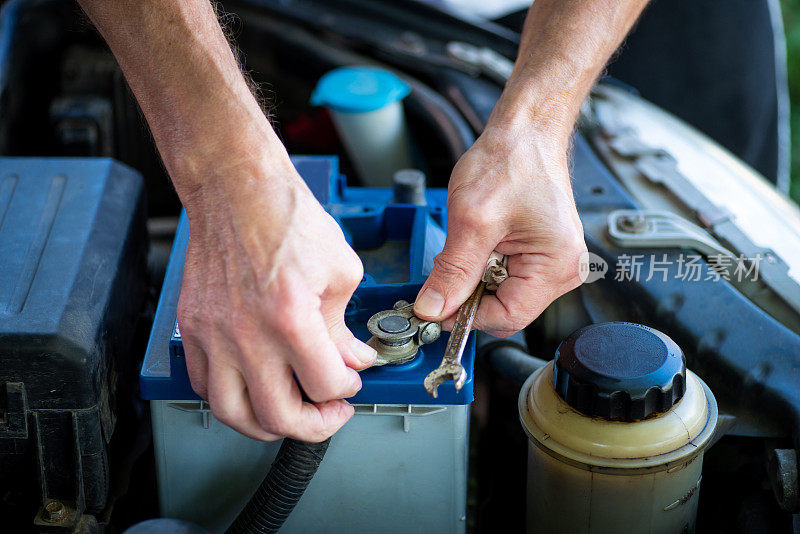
[268, 273]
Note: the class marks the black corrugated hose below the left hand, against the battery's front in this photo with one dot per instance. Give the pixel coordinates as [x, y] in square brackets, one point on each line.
[287, 480]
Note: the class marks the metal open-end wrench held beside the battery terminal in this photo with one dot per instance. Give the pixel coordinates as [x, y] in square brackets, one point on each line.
[451, 368]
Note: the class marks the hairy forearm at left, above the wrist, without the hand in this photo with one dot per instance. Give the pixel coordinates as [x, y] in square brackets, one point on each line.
[188, 83]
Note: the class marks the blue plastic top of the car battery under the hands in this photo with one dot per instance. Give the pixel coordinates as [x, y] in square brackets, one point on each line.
[396, 242]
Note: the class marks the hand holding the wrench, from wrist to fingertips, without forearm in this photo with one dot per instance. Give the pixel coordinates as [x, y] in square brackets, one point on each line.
[510, 192]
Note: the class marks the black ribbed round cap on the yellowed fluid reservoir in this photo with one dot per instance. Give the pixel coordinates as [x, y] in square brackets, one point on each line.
[619, 371]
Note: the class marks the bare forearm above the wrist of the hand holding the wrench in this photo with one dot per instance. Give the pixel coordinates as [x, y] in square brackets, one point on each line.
[565, 45]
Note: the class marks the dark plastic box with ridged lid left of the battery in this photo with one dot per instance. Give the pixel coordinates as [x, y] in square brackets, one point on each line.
[73, 247]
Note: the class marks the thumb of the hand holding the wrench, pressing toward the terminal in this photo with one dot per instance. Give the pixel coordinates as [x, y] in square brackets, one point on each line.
[456, 271]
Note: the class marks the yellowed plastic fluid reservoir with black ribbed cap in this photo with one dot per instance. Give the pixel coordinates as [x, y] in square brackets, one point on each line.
[617, 428]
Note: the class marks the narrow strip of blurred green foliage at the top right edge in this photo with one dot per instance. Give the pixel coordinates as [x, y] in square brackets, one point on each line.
[791, 21]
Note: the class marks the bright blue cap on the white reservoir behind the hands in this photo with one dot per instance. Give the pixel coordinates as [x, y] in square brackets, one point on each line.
[358, 89]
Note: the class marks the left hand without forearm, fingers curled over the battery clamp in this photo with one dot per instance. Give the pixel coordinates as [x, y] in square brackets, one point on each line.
[268, 275]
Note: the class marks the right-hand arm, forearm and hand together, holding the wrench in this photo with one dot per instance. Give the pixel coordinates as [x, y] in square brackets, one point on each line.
[511, 192]
